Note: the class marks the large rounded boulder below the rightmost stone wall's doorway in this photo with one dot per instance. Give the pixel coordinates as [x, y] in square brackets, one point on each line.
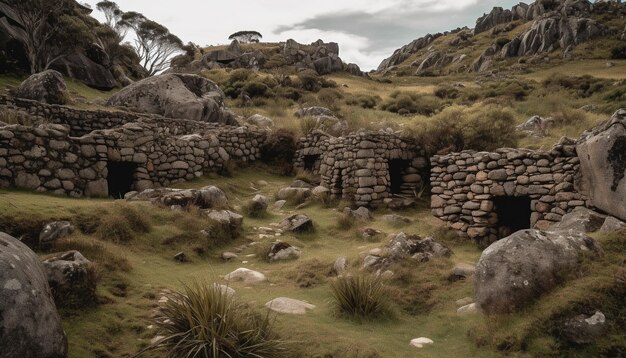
[517, 270]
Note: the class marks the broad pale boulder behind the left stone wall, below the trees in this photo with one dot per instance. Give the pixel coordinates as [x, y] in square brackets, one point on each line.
[182, 96]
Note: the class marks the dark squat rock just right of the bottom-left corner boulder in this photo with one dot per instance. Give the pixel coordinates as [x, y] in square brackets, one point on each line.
[72, 280]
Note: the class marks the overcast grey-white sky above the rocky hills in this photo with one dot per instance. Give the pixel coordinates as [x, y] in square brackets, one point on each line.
[367, 30]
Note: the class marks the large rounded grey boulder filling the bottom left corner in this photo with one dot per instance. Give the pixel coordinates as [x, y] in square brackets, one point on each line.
[30, 325]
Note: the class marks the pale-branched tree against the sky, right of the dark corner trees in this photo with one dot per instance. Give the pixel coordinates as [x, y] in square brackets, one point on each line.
[154, 43]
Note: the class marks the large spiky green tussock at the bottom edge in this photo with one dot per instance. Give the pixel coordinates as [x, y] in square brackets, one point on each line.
[204, 320]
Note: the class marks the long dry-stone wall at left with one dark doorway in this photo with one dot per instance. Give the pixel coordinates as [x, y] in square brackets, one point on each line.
[100, 153]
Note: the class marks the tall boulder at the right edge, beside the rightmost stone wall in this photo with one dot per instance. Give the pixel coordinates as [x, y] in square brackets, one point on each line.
[602, 154]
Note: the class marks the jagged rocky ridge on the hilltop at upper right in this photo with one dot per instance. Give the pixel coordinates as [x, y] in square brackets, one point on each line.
[524, 33]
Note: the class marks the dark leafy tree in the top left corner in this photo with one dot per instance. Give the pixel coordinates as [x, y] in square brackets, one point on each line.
[45, 29]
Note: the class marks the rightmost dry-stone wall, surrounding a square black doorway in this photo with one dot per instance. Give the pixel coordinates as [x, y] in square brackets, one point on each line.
[466, 185]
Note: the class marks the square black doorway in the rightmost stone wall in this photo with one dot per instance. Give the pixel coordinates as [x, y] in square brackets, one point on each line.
[513, 214]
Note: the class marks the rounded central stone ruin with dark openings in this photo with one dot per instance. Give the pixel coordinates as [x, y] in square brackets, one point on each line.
[365, 168]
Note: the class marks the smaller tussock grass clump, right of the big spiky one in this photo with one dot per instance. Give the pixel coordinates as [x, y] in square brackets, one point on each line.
[361, 296]
